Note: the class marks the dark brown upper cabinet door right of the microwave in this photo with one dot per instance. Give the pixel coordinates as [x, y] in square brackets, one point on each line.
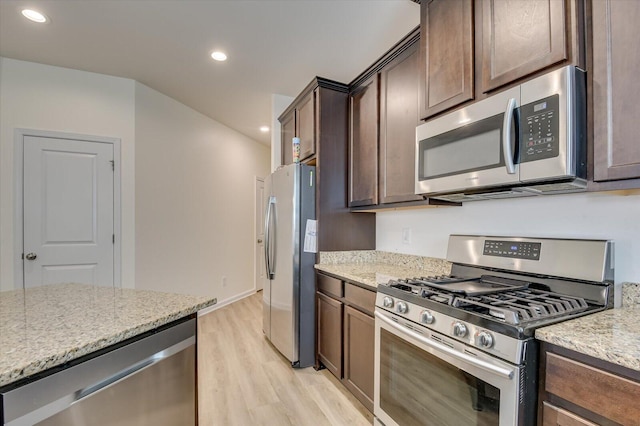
[616, 90]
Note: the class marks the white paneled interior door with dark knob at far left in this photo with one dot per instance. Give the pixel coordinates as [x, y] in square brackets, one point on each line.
[68, 214]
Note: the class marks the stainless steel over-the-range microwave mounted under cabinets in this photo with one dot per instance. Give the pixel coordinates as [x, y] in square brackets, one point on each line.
[527, 140]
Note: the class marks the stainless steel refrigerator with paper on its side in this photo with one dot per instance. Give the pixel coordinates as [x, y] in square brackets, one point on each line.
[289, 293]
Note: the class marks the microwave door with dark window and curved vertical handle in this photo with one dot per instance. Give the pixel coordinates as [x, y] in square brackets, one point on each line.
[471, 148]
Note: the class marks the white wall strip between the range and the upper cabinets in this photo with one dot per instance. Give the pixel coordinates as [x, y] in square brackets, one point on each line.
[614, 216]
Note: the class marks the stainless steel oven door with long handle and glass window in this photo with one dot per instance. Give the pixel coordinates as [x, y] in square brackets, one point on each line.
[425, 378]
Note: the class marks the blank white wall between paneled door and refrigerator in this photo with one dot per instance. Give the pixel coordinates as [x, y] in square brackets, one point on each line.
[194, 200]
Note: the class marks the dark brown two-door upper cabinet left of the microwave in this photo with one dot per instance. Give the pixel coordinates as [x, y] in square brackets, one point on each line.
[384, 112]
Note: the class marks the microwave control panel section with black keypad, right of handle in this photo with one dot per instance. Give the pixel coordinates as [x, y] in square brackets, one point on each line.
[552, 124]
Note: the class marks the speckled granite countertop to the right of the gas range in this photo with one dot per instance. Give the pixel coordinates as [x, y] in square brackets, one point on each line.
[611, 335]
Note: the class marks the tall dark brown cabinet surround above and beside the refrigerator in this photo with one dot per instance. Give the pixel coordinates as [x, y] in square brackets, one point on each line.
[319, 117]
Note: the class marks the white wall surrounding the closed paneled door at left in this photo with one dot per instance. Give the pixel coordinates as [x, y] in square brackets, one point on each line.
[35, 96]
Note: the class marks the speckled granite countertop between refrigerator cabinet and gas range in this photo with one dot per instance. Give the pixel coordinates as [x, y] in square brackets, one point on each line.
[370, 268]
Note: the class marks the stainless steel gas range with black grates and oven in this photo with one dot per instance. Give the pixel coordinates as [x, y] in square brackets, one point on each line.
[460, 349]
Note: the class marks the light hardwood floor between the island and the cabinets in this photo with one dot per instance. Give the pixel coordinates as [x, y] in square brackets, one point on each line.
[243, 379]
